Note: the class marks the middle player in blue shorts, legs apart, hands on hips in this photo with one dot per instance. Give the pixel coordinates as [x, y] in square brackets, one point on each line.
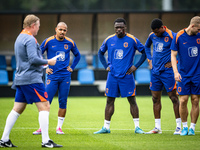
[121, 48]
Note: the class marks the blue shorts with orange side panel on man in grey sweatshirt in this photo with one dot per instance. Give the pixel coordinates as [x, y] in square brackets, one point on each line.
[31, 93]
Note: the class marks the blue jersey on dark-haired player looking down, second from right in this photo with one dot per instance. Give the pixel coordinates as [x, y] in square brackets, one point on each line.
[161, 50]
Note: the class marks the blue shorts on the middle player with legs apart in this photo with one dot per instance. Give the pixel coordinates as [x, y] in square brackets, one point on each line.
[116, 87]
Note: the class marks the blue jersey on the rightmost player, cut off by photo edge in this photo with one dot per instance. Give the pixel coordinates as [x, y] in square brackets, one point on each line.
[188, 48]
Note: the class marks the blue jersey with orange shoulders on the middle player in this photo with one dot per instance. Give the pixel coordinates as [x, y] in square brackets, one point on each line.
[121, 52]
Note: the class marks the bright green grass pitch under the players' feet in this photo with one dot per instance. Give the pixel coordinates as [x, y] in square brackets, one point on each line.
[85, 115]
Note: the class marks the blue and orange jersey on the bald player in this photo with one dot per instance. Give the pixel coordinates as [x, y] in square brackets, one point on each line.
[54, 47]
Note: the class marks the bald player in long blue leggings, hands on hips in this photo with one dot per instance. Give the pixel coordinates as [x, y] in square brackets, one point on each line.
[59, 46]
